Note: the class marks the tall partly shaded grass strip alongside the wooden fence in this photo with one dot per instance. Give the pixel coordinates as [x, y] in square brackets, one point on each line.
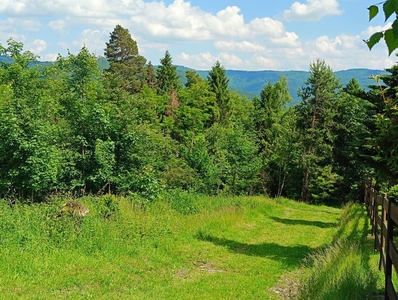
[346, 269]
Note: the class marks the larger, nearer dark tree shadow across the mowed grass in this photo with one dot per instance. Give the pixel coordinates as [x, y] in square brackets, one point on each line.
[291, 256]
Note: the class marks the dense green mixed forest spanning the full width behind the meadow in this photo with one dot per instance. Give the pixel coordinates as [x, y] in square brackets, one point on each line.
[135, 130]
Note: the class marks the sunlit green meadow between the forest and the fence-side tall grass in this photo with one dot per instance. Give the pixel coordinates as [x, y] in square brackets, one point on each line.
[225, 248]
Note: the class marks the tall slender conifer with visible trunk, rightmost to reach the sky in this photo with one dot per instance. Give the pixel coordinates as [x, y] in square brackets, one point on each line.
[315, 121]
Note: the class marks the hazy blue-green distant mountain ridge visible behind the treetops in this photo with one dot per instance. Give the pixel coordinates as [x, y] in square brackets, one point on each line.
[250, 83]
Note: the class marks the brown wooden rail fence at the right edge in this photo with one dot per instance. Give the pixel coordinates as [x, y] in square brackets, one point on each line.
[383, 213]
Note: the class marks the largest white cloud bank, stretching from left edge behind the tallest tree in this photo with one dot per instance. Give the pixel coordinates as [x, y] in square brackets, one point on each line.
[155, 23]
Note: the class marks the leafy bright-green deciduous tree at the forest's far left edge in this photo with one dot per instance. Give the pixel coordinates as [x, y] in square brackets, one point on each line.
[30, 160]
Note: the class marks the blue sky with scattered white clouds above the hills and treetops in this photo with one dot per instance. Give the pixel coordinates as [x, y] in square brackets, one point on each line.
[241, 34]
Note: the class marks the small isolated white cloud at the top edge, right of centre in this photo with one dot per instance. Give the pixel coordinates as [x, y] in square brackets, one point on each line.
[314, 10]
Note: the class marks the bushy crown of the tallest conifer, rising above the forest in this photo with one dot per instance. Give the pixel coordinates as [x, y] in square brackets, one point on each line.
[126, 65]
